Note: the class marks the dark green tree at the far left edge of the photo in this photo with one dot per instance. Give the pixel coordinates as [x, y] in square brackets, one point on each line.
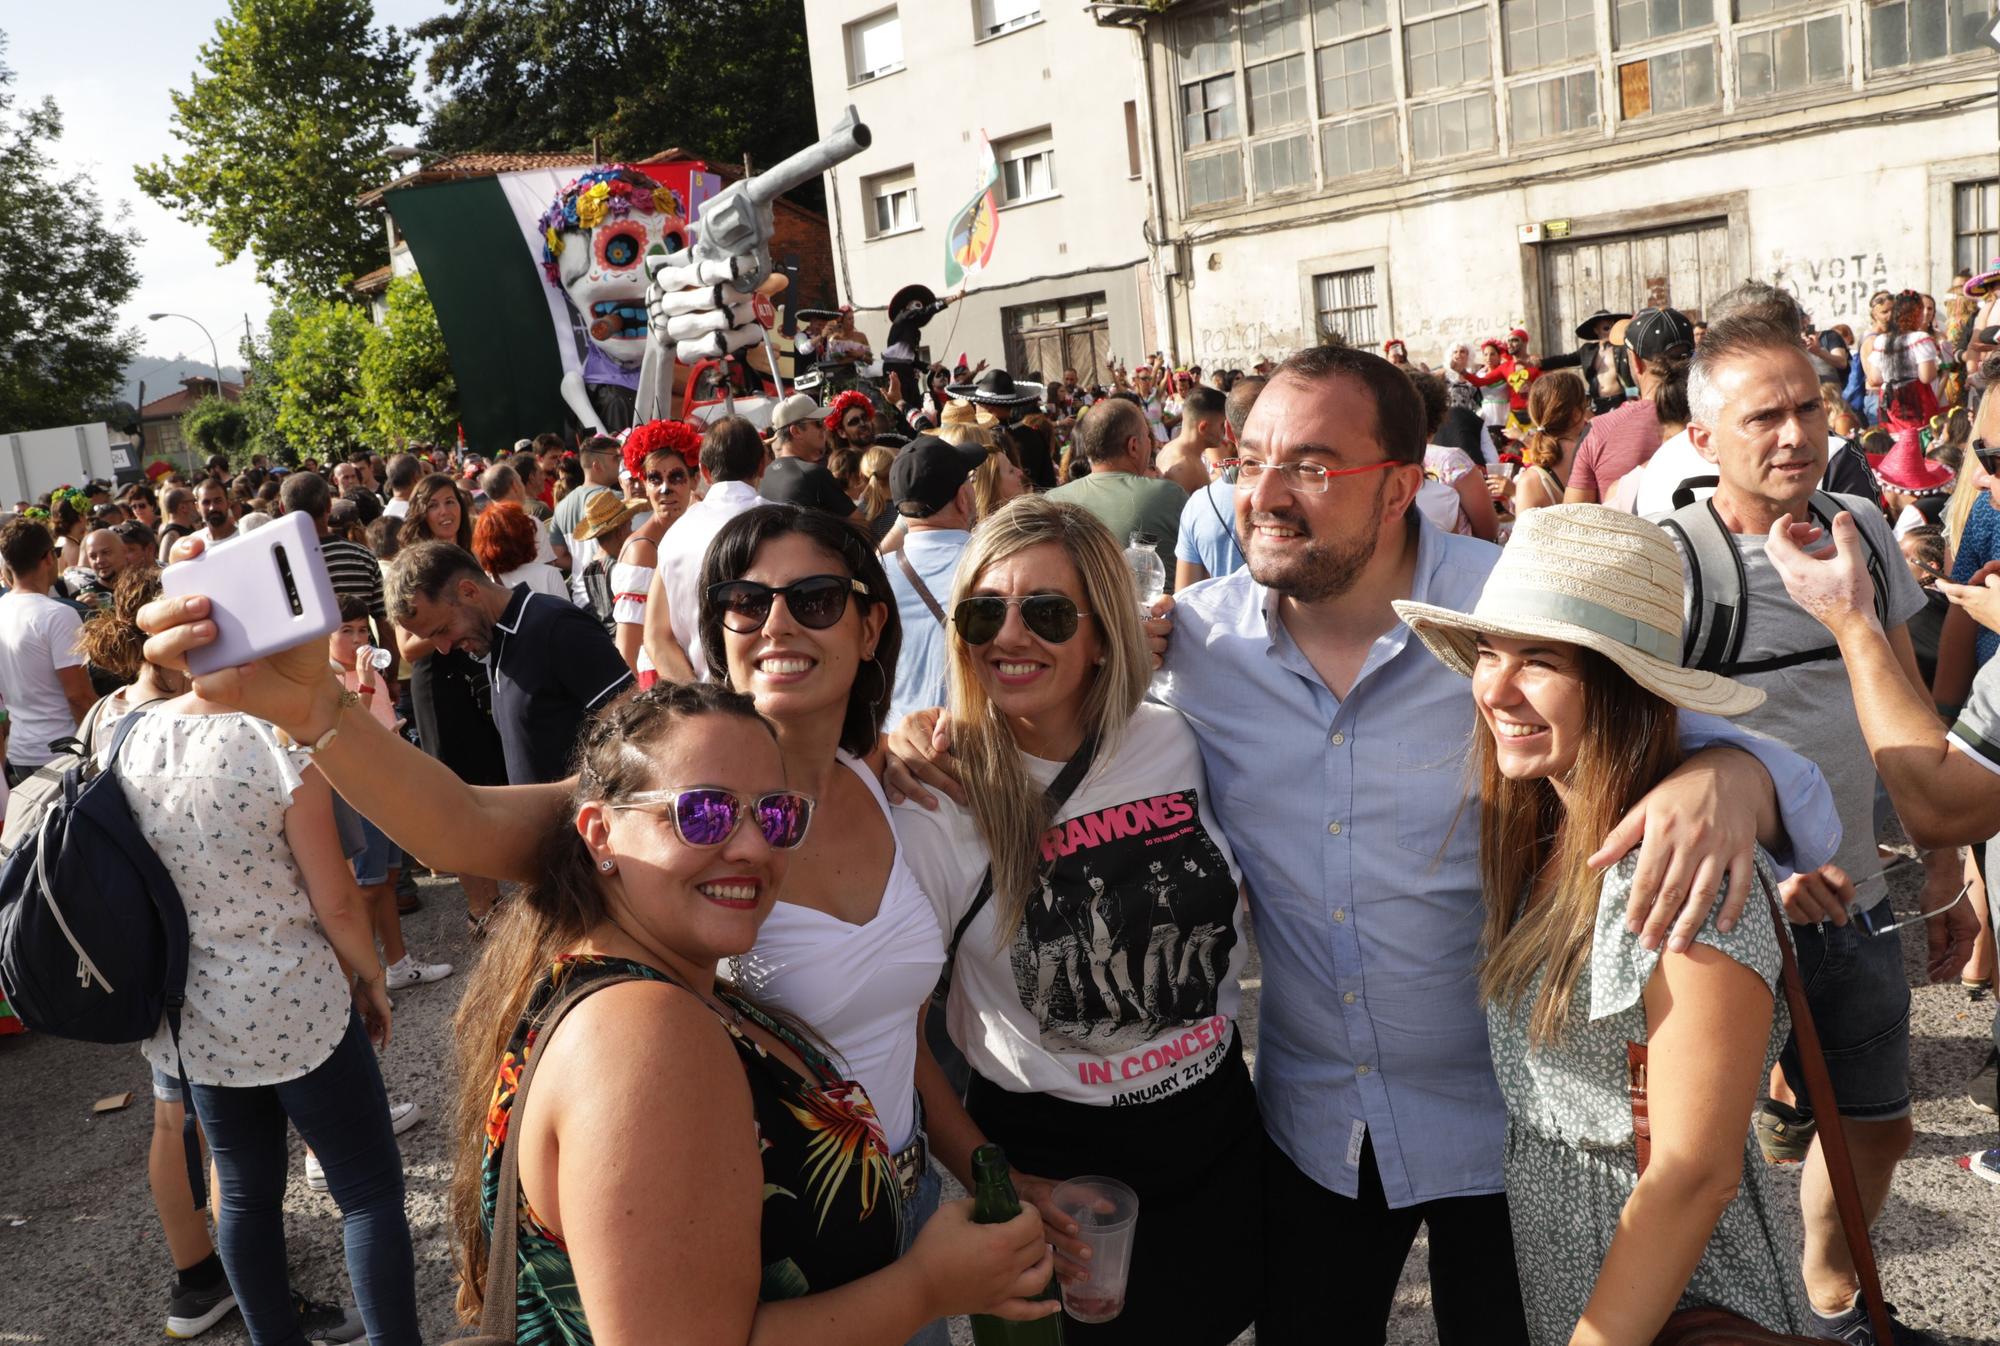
[65, 271]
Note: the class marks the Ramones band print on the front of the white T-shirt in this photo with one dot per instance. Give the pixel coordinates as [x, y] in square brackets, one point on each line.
[1125, 949]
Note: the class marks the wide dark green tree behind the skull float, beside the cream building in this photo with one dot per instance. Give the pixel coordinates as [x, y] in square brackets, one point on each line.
[639, 77]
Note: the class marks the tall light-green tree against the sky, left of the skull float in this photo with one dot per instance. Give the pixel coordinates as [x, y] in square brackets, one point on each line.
[285, 125]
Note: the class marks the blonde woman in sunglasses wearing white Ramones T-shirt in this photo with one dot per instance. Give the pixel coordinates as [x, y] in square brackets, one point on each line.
[1095, 991]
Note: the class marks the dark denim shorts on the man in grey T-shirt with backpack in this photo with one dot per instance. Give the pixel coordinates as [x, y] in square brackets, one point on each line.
[1861, 1005]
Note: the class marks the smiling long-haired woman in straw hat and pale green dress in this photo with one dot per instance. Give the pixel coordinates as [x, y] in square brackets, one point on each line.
[1575, 661]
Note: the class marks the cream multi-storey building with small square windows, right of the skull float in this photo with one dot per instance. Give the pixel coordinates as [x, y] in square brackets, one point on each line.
[1059, 97]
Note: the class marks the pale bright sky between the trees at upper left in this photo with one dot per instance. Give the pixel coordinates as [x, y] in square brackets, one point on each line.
[115, 99]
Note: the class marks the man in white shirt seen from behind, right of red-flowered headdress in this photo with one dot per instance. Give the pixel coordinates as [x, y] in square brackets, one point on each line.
[733, 463]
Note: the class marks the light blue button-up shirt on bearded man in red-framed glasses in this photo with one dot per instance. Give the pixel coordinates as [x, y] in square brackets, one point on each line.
[1357, 831]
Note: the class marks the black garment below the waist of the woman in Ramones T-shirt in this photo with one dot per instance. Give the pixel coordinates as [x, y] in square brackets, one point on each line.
[1197, 1163]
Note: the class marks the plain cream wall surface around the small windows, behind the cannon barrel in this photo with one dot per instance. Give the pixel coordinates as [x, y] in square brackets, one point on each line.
[1063, 73]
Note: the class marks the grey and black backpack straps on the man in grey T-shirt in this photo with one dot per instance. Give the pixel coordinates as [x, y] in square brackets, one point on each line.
[1717, 585]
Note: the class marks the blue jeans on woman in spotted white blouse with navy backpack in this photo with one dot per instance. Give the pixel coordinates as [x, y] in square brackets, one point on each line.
[341, 1109]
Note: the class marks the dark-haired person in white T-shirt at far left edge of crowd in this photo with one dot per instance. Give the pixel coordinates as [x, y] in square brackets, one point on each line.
[41, 669]
